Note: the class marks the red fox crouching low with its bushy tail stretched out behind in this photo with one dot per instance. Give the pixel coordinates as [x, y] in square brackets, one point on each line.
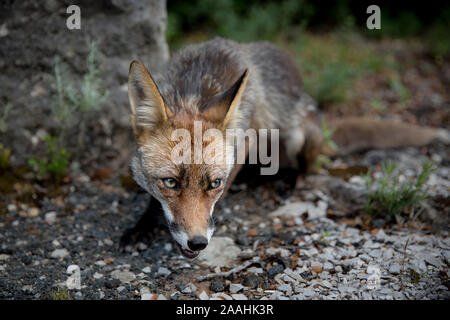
[223, 85]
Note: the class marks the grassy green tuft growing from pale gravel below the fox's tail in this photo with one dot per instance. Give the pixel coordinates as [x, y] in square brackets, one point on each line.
[390, 196]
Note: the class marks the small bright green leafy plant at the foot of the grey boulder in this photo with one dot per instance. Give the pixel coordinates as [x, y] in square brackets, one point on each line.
[55, 163]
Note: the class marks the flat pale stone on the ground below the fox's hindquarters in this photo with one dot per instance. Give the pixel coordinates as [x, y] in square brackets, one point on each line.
[297, 209]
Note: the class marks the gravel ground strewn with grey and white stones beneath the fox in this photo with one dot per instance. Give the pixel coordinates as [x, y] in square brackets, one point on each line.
[264, 236]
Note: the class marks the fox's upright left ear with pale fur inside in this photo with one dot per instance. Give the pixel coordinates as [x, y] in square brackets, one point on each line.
[148, 108]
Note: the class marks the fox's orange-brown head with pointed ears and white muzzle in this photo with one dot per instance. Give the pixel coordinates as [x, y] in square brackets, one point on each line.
[187, 191]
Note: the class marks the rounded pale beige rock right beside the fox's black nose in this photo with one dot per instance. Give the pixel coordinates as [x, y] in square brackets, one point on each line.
[220, 252]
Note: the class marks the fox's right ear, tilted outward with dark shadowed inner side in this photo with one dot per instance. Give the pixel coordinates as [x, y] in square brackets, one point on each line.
[224, 110]
